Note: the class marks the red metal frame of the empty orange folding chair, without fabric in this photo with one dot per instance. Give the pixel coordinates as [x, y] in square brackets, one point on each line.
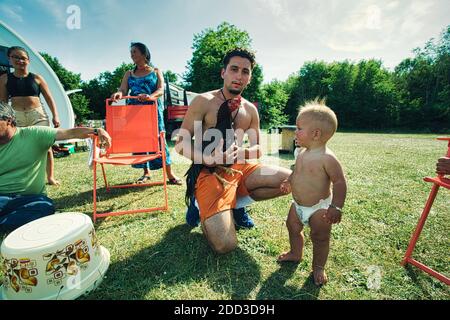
[102, 160]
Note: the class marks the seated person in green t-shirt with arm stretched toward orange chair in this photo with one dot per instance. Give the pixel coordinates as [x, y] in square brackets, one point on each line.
[23, 157]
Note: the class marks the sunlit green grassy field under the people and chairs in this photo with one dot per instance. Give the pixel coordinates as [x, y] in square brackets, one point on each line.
[157, 256]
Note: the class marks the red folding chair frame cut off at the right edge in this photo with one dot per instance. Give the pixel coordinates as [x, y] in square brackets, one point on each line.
[439, 181]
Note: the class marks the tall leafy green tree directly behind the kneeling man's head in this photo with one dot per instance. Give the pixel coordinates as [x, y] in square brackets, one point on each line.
[210, 46]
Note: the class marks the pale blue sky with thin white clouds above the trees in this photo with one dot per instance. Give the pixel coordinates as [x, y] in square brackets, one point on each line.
[285, 33]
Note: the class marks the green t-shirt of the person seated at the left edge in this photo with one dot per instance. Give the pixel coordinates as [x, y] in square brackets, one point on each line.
[23, 160]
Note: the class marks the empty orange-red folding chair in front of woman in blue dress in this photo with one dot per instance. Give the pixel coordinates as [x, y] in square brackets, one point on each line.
[133, 129]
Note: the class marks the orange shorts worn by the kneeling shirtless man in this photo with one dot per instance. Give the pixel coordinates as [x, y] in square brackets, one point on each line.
[213, 197]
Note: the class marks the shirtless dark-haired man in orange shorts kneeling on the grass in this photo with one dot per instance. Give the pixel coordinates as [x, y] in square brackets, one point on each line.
[253, 181]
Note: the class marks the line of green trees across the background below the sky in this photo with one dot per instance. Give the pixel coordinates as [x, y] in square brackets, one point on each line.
[365, 95]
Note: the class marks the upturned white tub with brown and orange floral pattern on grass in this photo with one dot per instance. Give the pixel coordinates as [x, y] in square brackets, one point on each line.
[53, 258]
